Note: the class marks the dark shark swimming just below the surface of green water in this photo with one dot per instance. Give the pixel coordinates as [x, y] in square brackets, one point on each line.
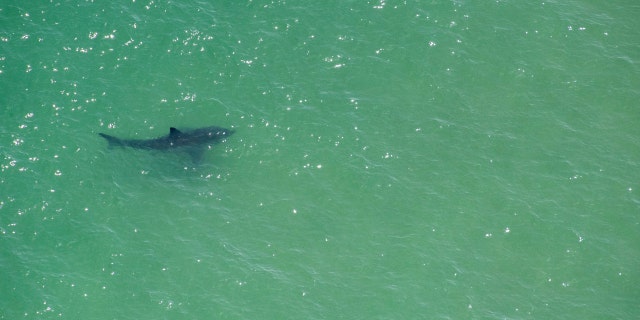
[193, 142]
